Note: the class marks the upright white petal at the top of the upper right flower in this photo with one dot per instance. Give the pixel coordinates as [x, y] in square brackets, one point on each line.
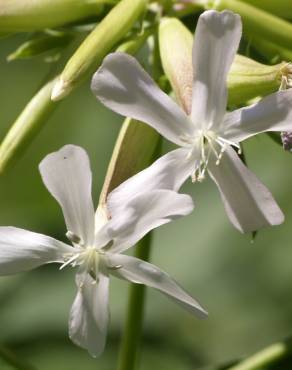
[216, 41]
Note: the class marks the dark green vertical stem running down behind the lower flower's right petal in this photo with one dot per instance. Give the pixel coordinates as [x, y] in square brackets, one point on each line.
[135, 312]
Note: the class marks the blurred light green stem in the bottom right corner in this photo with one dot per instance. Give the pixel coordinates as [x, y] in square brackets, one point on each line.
[267, 356]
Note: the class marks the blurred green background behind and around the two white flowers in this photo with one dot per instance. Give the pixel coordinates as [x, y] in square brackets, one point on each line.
[246, 287]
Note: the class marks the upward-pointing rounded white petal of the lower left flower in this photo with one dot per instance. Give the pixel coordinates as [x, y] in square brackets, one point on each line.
[67, 176]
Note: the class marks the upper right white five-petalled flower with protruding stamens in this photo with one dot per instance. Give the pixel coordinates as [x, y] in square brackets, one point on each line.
[207, 136]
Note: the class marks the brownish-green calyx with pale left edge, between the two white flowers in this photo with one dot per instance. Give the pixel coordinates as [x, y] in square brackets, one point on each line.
[134, 150]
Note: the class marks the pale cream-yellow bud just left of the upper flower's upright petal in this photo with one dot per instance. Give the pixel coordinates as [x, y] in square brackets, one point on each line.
[175, 44]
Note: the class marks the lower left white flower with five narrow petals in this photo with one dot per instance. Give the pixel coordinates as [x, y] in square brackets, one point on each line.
[97, 243]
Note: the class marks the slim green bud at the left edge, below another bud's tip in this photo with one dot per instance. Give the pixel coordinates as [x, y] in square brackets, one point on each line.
[27, 125]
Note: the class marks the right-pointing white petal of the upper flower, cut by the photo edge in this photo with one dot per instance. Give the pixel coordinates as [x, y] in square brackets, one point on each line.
[272, 113]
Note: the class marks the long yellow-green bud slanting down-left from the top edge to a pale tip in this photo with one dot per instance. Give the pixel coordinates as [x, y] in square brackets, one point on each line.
[89, 55]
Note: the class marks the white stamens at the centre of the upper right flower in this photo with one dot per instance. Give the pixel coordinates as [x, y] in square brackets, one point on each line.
[207, 143]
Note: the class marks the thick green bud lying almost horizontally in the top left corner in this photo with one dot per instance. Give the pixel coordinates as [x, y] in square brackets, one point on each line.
[32, 15]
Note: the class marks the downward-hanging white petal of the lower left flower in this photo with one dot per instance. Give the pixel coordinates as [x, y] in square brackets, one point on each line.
[89, 315]
